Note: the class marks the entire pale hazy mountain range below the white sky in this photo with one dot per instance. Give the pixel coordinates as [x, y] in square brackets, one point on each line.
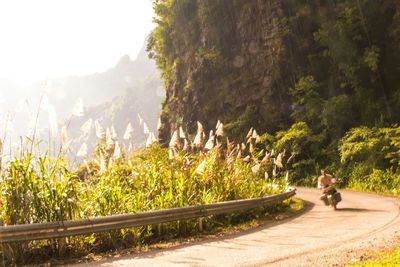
[113, 98]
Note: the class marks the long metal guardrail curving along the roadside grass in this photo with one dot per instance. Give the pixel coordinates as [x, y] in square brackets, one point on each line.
[60, 229]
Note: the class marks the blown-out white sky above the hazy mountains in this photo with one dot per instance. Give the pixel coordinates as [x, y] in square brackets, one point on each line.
[43, 39]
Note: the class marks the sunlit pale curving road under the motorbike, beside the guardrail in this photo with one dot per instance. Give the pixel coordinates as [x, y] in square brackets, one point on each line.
[318, 237]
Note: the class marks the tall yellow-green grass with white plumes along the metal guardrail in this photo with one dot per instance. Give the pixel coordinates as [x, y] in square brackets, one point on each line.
[37, 188]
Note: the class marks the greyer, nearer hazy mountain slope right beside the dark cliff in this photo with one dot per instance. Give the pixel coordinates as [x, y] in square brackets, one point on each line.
[141, 94]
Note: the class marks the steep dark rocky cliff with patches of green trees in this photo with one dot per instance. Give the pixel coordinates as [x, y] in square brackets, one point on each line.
[270, 63]
